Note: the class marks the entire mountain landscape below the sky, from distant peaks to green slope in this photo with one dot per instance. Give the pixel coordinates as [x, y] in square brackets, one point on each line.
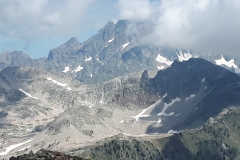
[116, 97]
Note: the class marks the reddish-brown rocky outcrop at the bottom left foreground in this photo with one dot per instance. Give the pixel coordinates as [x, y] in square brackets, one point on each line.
[46, 155]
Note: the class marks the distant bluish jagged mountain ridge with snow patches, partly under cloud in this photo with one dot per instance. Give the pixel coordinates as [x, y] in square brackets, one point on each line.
[116, 50]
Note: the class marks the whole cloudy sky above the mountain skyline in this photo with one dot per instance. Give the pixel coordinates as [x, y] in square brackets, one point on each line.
[36, 26]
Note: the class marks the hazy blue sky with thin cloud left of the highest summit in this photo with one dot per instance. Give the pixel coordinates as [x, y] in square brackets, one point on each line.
[37, 26]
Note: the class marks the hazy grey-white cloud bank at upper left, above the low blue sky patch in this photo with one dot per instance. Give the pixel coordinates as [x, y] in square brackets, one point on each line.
[30, 20]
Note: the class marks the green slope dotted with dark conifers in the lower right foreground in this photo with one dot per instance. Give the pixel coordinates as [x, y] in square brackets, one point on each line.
[217, 140]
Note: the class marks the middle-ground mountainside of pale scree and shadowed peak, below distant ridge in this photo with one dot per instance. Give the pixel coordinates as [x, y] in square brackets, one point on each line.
[46, 109]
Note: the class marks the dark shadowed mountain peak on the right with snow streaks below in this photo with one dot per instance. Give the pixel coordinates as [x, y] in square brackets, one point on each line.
[195, 90]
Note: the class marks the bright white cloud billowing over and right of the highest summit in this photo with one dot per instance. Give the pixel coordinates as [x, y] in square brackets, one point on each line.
[204, 25]
